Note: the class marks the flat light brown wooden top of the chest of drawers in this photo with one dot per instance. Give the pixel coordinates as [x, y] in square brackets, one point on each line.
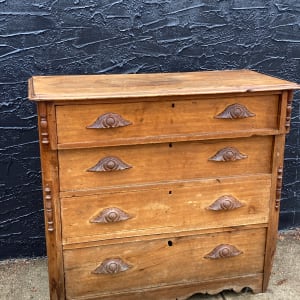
[83, 87]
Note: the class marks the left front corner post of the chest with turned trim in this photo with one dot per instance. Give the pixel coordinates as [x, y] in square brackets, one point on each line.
[51, 201]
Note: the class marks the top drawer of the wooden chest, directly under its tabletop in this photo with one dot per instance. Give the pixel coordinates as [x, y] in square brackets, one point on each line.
[158, 121]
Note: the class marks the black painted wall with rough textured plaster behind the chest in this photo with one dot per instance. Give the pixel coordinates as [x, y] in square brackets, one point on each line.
[127, 36]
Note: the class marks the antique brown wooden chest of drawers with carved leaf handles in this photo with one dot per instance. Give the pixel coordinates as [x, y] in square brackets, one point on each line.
[159, 186]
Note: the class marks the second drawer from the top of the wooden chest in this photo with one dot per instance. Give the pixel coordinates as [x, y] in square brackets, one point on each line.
[99, 167]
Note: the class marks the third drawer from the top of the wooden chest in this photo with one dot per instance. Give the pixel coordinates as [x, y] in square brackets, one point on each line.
[190, 206]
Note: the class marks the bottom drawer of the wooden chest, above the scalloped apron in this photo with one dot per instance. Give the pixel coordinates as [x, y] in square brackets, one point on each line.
[117, 268]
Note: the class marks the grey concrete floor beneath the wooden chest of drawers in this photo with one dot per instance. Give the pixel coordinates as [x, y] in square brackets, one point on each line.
[24, 279]
